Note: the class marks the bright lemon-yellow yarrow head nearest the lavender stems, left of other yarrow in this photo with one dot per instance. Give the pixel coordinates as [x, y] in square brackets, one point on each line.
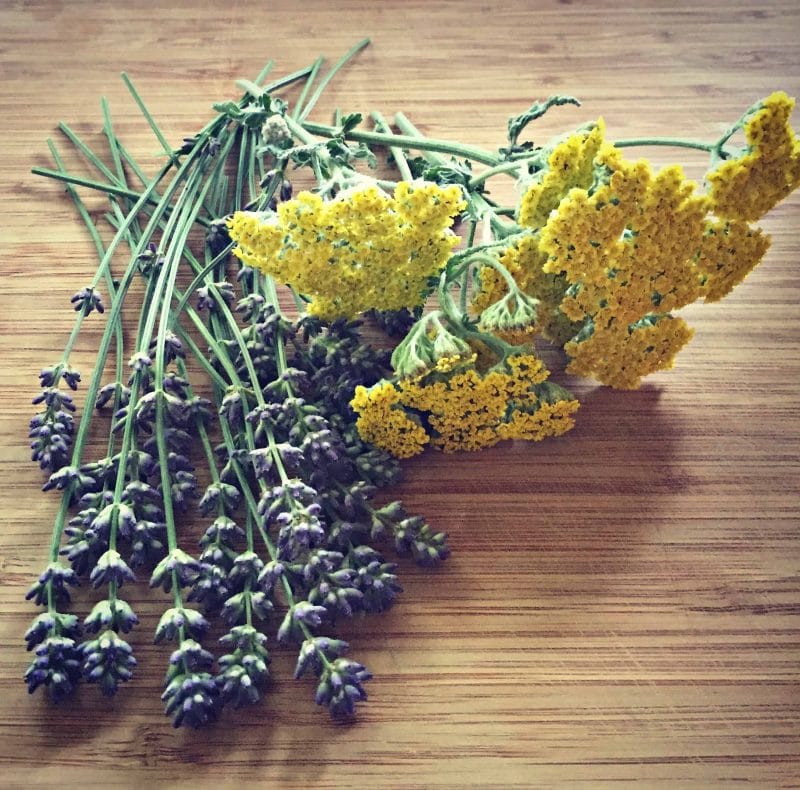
[363, 249]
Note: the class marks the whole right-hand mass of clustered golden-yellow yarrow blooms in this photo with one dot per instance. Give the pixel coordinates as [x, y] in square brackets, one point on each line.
[615, 249]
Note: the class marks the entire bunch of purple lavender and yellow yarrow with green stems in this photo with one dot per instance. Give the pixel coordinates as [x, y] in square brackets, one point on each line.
[307, 417]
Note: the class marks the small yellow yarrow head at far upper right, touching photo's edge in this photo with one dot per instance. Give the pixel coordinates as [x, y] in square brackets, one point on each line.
[747, 187]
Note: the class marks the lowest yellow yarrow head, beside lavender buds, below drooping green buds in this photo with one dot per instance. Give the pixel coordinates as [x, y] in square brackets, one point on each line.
[462, 408]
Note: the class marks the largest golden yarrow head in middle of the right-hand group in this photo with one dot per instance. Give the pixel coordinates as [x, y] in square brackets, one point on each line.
[628, 247]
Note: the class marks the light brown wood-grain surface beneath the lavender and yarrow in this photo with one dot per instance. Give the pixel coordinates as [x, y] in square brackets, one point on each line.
[621, 604]
